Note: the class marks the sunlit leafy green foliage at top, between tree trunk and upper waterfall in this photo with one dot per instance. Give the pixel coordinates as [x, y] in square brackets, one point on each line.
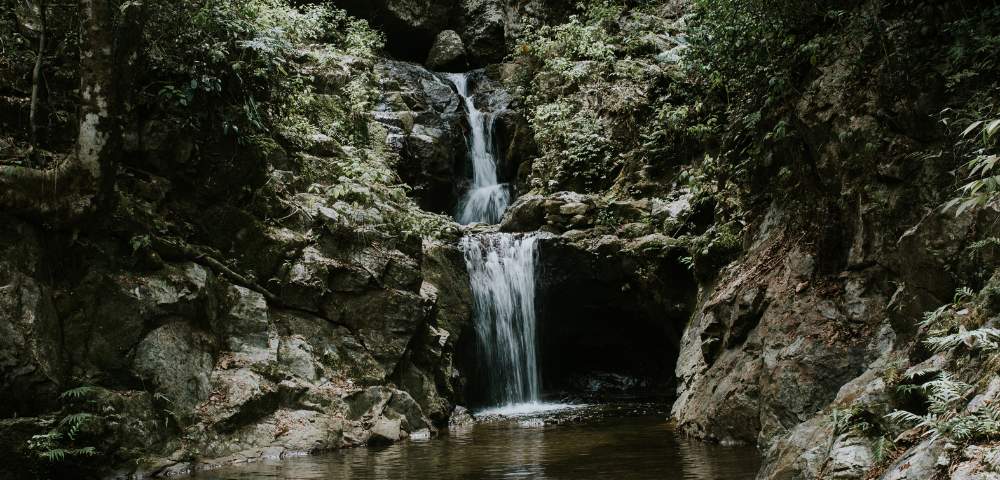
[233, 67]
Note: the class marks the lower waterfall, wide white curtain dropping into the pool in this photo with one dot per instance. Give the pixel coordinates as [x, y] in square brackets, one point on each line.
[502, 269]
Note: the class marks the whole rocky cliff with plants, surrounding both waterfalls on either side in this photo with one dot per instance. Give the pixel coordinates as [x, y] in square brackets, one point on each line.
[765, 269]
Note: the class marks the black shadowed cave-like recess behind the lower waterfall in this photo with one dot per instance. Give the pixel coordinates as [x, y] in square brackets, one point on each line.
[609, 326]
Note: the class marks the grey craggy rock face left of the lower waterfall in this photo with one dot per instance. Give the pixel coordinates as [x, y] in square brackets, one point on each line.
[244, 378]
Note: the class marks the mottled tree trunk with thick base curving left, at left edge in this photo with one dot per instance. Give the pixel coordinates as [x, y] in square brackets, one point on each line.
[74, 186]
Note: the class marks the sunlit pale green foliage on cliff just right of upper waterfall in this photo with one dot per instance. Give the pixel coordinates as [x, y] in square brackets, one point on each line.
[587, 96]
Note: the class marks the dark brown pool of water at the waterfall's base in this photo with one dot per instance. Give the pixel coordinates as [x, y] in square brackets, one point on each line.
[609, 442]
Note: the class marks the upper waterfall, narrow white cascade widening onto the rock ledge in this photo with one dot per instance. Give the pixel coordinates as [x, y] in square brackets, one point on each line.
[487, 198]
